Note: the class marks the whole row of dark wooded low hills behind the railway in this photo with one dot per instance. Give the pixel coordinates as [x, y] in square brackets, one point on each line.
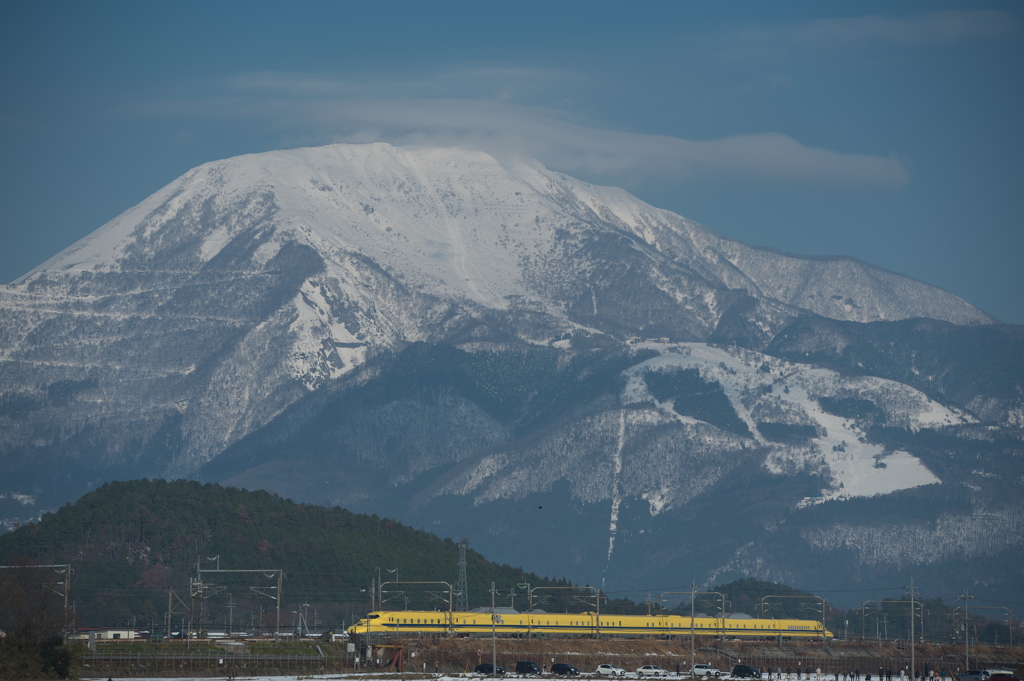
[134, 545]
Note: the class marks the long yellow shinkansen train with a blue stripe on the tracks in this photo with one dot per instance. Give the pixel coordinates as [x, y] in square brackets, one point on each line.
[388, 624]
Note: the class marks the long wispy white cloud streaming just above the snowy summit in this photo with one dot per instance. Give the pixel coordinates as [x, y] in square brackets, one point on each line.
[327, 110]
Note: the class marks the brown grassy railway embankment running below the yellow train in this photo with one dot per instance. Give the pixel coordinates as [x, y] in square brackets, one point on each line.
[426, 658]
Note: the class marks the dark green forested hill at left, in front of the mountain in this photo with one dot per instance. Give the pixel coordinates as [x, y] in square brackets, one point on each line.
[133, 544]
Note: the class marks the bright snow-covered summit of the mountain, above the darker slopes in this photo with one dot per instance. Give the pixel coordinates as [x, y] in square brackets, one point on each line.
[460, 223]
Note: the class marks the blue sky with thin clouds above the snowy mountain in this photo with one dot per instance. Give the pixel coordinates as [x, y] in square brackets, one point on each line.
[891, 133]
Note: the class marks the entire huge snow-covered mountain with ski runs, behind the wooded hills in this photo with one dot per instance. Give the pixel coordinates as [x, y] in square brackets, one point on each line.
[251, 297]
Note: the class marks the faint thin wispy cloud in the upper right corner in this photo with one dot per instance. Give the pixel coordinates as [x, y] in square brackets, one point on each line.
[932, 30]
